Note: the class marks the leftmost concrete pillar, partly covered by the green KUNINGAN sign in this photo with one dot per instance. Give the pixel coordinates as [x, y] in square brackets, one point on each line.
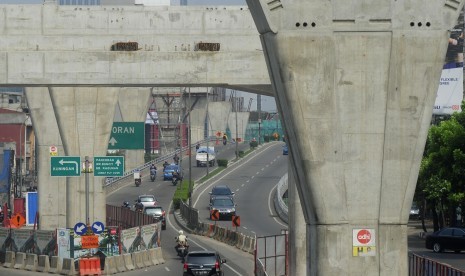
[52, 190]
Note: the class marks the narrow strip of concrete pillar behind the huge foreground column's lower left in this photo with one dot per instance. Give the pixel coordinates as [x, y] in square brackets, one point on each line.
[297, 231]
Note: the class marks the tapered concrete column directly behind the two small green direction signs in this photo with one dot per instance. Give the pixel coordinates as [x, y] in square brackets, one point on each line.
[85, 117]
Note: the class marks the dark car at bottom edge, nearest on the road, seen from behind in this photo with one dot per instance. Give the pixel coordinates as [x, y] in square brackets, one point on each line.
[203, 263]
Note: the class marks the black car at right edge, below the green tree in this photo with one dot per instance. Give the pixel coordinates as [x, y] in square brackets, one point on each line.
[449, 238]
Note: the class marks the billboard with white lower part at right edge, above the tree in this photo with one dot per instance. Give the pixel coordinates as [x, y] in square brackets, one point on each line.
[450, 92]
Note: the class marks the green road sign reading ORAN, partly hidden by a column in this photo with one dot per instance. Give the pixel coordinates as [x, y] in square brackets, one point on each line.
[127, 135]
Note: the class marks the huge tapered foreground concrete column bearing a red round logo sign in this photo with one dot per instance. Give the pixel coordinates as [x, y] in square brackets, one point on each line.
[356, 82]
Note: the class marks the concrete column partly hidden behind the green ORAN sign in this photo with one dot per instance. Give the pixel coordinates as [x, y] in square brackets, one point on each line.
[134, 104]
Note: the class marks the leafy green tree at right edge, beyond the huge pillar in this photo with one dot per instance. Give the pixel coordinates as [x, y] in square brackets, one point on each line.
[441, 181]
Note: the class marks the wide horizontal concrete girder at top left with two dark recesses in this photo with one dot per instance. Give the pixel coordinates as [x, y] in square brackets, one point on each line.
[49, 45]
